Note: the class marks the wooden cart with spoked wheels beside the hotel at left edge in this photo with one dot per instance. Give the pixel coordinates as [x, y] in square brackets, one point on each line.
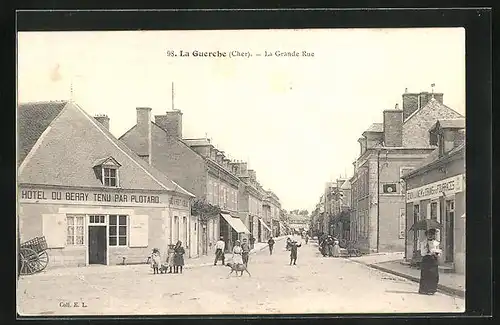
[33, 256]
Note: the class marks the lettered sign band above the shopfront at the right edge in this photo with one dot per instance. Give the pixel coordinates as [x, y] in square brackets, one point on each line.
[445, 187]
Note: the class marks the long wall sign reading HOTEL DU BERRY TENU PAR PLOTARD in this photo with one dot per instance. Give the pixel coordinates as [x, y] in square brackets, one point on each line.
[85, 196]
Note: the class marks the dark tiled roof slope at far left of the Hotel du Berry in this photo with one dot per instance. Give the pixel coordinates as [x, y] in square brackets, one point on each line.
[32, 120]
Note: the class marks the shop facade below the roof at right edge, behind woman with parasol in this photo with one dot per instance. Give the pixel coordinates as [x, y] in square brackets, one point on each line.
[432, 193]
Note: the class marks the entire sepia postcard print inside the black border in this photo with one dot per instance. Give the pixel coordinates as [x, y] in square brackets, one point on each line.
[223, 172]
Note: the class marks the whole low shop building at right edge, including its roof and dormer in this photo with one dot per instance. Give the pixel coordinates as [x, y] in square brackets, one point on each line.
[436, 190]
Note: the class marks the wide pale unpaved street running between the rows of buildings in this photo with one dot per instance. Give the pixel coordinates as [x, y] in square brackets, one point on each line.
[315, 285]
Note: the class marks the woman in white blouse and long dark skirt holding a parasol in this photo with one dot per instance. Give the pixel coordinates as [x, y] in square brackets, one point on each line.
[429, 274]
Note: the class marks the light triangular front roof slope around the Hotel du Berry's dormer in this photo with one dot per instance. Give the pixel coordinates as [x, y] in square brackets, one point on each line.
[70, 162]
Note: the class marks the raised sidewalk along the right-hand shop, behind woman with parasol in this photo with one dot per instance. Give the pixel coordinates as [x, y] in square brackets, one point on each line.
[449, 283]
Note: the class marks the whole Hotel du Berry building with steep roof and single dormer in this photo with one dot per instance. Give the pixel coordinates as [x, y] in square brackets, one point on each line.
[94, 200]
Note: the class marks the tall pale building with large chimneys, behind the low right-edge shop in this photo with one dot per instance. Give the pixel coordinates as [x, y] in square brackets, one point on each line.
[387, 150]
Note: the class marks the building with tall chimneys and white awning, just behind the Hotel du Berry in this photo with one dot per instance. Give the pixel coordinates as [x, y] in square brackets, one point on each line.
[196, 165]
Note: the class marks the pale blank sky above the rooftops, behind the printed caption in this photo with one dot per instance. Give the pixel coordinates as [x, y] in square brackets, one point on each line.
[295, 120]
